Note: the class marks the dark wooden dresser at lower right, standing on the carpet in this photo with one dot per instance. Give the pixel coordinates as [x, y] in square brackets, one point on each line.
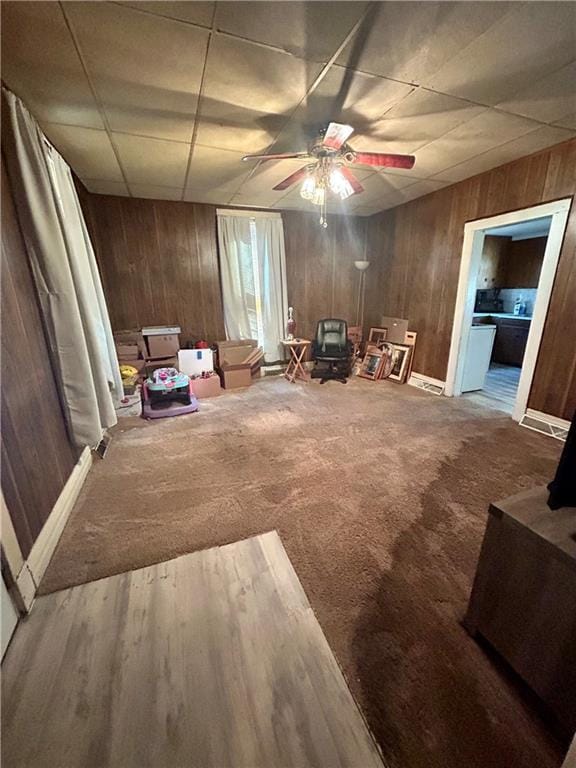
[524, 596]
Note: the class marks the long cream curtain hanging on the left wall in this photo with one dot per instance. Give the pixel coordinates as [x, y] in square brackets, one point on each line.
[66, 276]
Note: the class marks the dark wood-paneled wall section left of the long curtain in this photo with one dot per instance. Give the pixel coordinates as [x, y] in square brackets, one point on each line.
[37, 457]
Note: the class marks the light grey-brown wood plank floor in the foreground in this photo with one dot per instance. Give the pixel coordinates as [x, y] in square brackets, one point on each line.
[213, 659]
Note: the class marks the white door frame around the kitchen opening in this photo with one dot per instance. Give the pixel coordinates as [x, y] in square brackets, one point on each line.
[474, 233]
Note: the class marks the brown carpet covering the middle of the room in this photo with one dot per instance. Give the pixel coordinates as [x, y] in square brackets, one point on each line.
[379, 493]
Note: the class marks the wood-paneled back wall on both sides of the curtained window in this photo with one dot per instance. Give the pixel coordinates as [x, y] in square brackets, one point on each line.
[159, 262]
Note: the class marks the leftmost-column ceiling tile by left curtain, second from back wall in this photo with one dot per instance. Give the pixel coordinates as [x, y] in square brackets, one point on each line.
[87, 150]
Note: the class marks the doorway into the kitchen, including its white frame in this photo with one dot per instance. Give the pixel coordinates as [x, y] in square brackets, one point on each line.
[498, 326]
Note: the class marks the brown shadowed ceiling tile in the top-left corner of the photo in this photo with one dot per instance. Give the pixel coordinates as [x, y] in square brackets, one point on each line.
[40, 64]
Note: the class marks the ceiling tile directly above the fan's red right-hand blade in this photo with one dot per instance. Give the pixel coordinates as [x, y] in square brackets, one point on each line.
[418, 119]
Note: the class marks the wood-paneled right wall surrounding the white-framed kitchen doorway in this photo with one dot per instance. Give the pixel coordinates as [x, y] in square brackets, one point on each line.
[418, 247]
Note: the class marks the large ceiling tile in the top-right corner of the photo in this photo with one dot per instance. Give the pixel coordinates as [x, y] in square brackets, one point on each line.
[528, 43]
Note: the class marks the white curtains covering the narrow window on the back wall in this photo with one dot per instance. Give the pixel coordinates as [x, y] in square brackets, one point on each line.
[253, 267]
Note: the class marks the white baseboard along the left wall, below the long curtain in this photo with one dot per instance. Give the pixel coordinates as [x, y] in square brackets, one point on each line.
[44, 546]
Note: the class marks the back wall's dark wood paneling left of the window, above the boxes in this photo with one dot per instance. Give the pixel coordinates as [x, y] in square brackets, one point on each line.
[159, 263]
